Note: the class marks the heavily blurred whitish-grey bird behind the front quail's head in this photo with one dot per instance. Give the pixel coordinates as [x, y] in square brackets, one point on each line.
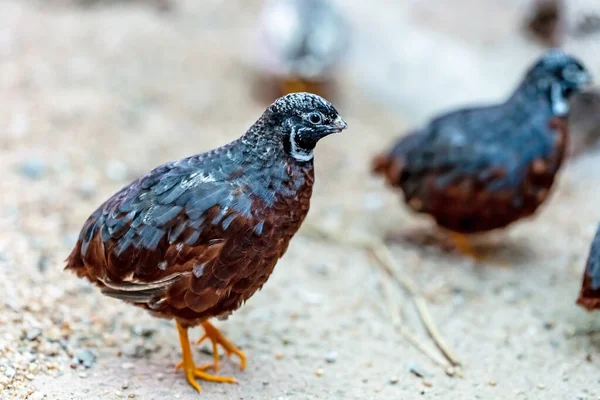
[301, 44]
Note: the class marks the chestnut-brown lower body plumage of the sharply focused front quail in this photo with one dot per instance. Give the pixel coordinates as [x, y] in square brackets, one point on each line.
[214, 276]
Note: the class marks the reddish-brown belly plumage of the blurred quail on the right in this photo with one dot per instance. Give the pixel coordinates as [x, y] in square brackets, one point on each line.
[467, 205]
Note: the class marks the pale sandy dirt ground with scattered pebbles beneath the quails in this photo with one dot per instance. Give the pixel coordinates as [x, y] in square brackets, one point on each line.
[93, 96]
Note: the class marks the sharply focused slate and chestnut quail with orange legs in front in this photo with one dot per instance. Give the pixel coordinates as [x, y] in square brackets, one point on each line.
[195, 238]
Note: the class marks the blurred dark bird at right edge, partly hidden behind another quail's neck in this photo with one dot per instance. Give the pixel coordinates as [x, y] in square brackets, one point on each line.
[584, 121]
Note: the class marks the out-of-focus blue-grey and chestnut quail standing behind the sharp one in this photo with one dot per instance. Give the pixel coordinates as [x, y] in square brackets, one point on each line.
[482, 168]
